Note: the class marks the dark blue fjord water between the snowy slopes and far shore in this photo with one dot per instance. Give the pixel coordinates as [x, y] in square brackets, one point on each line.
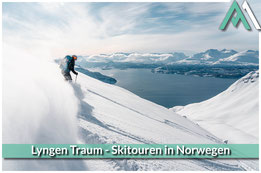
[168, 90]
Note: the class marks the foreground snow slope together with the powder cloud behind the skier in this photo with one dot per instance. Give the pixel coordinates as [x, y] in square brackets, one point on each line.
[43, 108]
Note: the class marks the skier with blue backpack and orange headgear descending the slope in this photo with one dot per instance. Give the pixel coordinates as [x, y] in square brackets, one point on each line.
[67, 65]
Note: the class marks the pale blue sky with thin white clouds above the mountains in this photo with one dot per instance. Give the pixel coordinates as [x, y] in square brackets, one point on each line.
[88, 28]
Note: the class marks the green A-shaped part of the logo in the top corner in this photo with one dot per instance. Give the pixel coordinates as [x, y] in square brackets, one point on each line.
[235, 20]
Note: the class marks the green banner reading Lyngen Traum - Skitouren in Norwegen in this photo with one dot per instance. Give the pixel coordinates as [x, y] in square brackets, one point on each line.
[130, 151]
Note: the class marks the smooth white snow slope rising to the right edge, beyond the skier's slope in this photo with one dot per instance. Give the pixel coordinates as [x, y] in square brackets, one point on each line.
[232, 115]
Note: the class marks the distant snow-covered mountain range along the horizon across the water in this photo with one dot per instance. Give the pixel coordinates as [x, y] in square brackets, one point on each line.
[209, 57]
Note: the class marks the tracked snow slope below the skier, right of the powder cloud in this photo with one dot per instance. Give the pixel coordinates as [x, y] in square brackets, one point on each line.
[110, 114]
